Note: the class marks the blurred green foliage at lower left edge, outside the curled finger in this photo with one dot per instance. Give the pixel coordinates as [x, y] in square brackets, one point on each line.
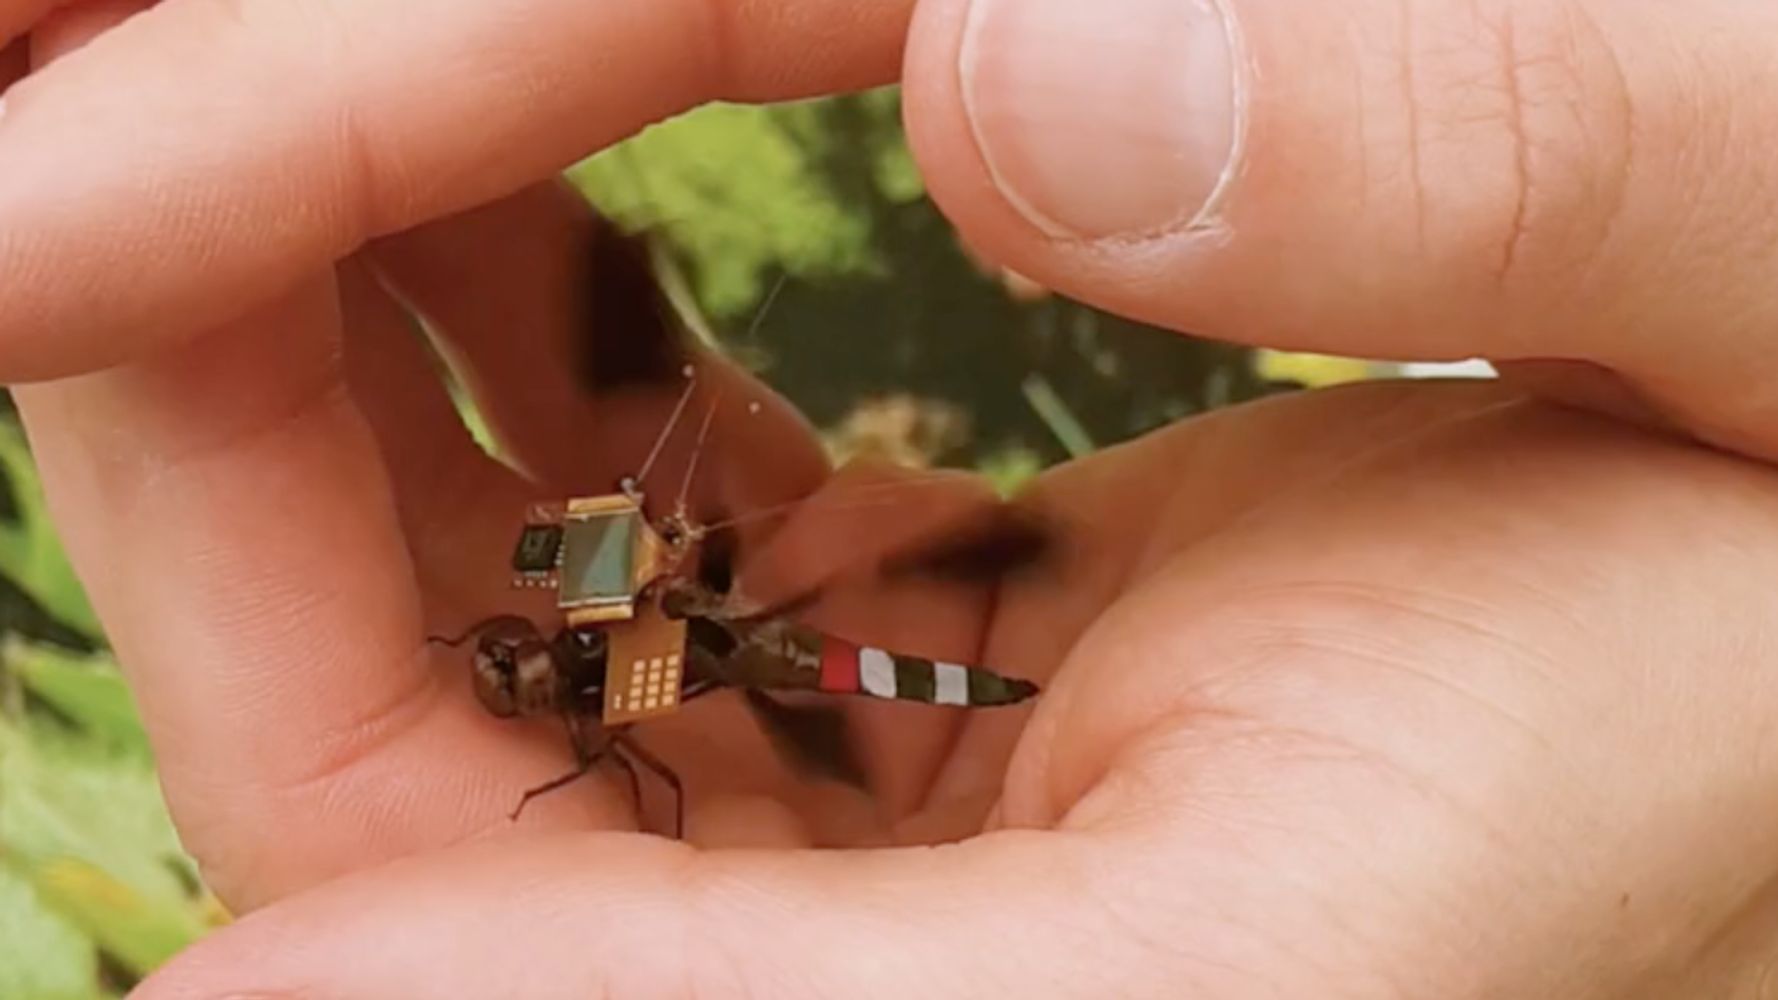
[95, 891]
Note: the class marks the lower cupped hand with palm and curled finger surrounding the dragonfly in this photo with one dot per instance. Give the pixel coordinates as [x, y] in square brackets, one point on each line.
[1430, 704]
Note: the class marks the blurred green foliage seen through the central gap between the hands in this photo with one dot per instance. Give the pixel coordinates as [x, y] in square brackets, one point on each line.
[819, 211]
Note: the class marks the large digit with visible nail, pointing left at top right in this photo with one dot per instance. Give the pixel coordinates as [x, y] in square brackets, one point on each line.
[1516, 181]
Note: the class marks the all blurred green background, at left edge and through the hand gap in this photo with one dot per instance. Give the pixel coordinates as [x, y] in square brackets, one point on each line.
[801, 241]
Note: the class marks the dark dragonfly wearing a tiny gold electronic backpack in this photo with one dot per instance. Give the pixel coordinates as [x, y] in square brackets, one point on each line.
[650, 620]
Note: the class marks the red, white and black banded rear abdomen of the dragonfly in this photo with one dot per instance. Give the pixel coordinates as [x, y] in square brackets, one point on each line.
[879, 673]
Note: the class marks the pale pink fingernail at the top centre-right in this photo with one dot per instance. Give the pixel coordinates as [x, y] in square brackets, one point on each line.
[1105, 118]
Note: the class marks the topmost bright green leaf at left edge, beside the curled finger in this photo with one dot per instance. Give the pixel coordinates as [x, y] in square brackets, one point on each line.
[31, 554]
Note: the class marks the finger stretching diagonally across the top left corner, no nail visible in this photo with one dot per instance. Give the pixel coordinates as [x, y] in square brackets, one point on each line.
[372, 141]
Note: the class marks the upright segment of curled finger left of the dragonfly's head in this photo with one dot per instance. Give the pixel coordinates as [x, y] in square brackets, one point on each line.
[232, 520]
